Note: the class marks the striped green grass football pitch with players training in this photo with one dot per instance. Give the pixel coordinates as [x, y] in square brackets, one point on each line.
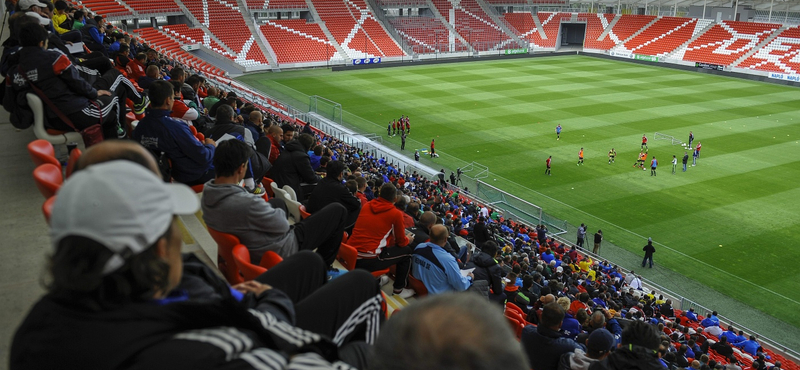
[729, 223]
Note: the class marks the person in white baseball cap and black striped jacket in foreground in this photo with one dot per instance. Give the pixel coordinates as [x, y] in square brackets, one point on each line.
[112, 302]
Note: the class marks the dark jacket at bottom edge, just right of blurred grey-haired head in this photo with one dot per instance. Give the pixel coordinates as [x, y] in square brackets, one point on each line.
[544, 347]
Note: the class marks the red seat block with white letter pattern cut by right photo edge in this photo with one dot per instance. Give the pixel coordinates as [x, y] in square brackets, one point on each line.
[780, 55]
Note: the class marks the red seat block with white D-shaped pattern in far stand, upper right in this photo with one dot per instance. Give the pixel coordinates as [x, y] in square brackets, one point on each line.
[726, 42]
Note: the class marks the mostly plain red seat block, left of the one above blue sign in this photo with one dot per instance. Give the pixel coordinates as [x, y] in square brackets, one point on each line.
[297, 41]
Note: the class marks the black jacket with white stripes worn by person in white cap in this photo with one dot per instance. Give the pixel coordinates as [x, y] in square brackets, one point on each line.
[198, 334]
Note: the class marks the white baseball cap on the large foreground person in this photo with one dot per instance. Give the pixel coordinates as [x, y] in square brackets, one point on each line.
[121, 205]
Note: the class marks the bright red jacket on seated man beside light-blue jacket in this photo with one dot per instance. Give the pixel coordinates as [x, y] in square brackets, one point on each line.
[379, 225]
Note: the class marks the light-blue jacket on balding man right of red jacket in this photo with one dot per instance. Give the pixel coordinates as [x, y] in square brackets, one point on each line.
[437, 269]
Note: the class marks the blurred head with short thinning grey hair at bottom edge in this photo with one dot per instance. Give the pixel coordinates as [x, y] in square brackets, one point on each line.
[449, 331]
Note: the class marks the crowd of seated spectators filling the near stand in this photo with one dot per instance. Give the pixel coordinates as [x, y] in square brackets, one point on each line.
[117, 272]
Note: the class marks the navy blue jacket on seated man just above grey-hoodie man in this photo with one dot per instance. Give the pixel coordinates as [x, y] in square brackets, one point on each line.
[159, 133]
